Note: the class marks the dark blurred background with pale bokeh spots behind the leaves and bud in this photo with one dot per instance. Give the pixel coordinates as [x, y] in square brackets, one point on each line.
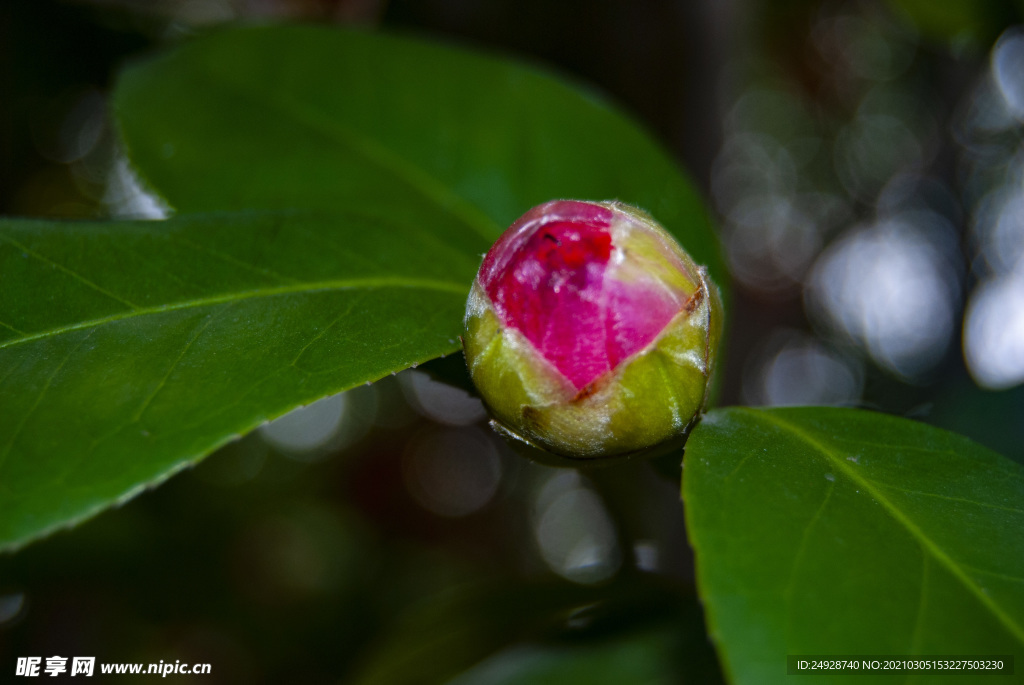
[866, 161]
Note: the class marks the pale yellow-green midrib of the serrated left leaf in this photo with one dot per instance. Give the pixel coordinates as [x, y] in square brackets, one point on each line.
[322, 286]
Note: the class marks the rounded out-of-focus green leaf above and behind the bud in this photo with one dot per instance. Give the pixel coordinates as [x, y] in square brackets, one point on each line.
[456, 144]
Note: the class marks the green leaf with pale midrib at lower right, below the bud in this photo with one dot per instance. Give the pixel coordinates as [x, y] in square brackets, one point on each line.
[842, 532]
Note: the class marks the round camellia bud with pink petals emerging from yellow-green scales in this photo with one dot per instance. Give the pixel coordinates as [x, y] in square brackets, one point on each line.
[590, 332]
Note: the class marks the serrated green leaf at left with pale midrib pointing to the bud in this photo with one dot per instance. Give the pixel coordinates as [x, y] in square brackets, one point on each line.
[129, 351]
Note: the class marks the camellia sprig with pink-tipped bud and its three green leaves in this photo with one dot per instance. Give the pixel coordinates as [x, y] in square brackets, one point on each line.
[315, 246]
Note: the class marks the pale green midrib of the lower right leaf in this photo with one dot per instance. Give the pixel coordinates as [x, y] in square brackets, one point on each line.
[927, 543]
